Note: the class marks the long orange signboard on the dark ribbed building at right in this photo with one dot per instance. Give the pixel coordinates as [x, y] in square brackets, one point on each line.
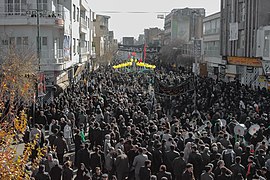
[245, 61]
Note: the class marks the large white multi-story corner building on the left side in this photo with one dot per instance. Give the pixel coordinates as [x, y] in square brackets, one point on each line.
[57, 30]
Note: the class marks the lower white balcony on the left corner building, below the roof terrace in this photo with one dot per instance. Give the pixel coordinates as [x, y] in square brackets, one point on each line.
[52, 60]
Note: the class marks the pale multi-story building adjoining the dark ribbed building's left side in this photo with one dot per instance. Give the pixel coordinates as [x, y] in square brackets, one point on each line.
[211, 46]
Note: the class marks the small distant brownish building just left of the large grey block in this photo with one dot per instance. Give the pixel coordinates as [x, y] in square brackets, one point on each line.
[153, 36]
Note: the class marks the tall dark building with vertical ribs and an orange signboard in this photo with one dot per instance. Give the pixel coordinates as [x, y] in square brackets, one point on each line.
[240, 21]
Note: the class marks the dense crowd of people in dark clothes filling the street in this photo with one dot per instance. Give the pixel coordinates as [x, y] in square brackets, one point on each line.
[120, 131]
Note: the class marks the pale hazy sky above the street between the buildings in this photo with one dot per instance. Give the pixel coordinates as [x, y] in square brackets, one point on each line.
[126, 23]
